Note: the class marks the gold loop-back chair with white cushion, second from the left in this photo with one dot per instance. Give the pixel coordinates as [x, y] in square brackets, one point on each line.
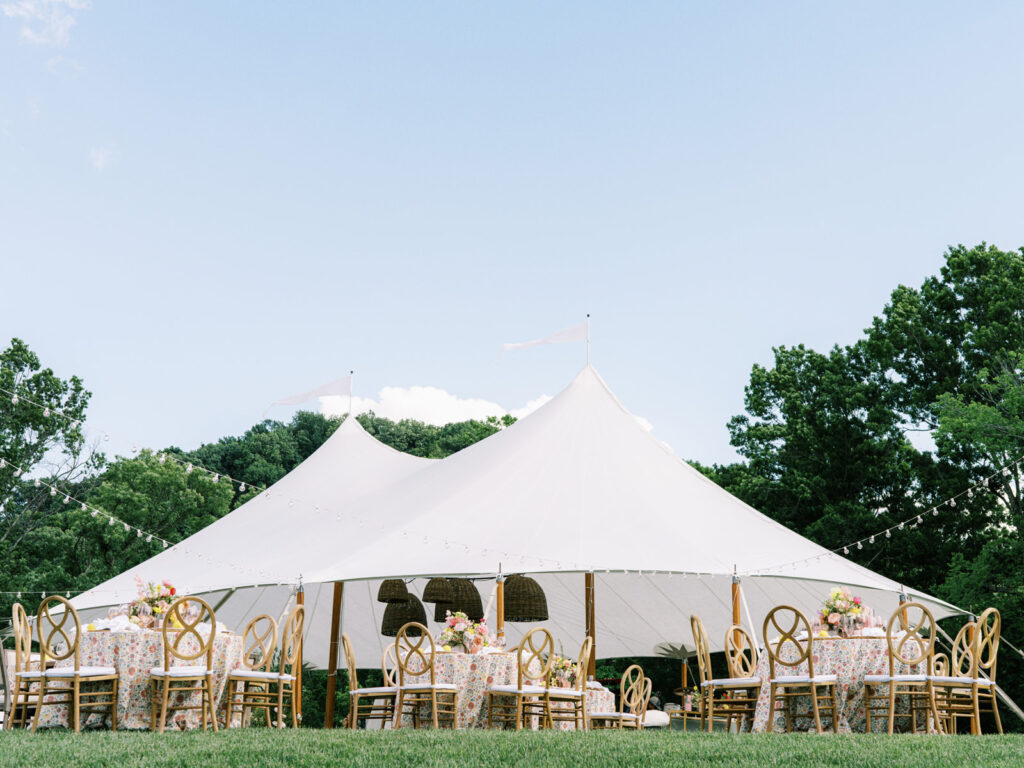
[60, 638]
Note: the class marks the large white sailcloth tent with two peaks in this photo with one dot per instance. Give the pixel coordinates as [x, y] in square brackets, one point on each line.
[625, 539]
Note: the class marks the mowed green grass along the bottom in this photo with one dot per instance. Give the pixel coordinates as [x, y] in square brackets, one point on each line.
[247, 749]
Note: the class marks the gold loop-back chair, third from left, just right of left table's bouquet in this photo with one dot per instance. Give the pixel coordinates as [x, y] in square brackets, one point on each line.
[184, 643]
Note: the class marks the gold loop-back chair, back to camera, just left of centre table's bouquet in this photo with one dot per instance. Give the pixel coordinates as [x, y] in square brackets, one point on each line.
[418, 687]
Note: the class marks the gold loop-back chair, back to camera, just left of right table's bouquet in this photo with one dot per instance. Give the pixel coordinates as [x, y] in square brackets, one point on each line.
[789, 622]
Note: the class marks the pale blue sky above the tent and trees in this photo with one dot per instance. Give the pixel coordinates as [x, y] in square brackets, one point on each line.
[208, 206]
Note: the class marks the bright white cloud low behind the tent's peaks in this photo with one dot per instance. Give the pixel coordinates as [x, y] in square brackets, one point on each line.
[433, 406]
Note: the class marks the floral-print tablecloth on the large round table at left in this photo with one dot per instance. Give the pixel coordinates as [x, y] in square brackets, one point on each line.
[134, 655]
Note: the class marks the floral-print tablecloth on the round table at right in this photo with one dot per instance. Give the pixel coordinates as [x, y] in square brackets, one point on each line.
[850, 660]
